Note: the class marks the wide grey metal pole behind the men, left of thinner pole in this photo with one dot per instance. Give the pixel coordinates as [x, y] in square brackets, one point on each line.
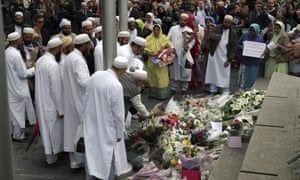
[109, 33]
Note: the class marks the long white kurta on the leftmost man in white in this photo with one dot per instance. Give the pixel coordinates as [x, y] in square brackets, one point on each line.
[18, 91]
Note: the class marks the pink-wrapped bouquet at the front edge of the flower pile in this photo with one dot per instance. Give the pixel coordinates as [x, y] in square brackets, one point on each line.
[191, 157]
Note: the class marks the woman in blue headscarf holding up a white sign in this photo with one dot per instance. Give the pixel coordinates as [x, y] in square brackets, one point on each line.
[249, 67]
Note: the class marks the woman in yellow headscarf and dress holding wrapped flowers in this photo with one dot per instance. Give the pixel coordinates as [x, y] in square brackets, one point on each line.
[158, 76]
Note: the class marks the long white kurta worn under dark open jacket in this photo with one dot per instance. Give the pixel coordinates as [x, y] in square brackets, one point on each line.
[216, 73]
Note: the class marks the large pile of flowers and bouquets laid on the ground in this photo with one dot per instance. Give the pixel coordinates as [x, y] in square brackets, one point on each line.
[193, 131]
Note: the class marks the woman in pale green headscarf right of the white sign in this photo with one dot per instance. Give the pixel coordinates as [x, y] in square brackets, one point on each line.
[275, 54]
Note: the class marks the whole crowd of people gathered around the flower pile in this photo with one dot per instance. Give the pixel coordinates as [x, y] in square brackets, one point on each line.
[56, 73]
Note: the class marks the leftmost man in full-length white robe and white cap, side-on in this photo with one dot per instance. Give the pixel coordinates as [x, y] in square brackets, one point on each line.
[18, 92]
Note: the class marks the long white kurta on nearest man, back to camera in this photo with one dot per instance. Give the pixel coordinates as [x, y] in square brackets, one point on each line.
[103, 121]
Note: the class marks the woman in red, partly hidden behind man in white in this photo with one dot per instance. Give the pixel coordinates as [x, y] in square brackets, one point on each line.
[194, 50]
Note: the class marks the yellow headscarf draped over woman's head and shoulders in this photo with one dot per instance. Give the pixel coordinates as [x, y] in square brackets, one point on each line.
[157, 44]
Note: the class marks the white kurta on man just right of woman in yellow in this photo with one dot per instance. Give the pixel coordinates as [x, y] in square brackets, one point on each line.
[176, 38]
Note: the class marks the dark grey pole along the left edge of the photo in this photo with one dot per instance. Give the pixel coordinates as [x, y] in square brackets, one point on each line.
[6, 171]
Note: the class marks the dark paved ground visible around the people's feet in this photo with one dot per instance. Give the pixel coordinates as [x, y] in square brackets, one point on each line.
[31, 165]
